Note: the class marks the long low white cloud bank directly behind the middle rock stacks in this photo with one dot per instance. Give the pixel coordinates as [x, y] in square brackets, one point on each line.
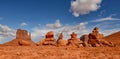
[80, 29]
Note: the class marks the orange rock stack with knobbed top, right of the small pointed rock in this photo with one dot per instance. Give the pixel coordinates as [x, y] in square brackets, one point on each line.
[74, 41]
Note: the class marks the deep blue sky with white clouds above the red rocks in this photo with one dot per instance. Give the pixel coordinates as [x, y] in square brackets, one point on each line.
[41, 16]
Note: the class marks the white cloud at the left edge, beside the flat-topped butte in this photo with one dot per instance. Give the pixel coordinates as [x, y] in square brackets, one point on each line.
[6, 32]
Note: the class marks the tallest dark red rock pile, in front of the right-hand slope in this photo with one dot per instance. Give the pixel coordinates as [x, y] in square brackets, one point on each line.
[96, 38]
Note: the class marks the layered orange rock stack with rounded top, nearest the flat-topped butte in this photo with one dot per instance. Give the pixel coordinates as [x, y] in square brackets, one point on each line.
[48, 40]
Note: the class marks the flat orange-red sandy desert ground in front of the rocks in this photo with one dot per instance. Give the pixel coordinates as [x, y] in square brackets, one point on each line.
[51, 52]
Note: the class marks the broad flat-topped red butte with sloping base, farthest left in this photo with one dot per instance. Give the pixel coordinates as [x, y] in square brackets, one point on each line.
[22, 38]
